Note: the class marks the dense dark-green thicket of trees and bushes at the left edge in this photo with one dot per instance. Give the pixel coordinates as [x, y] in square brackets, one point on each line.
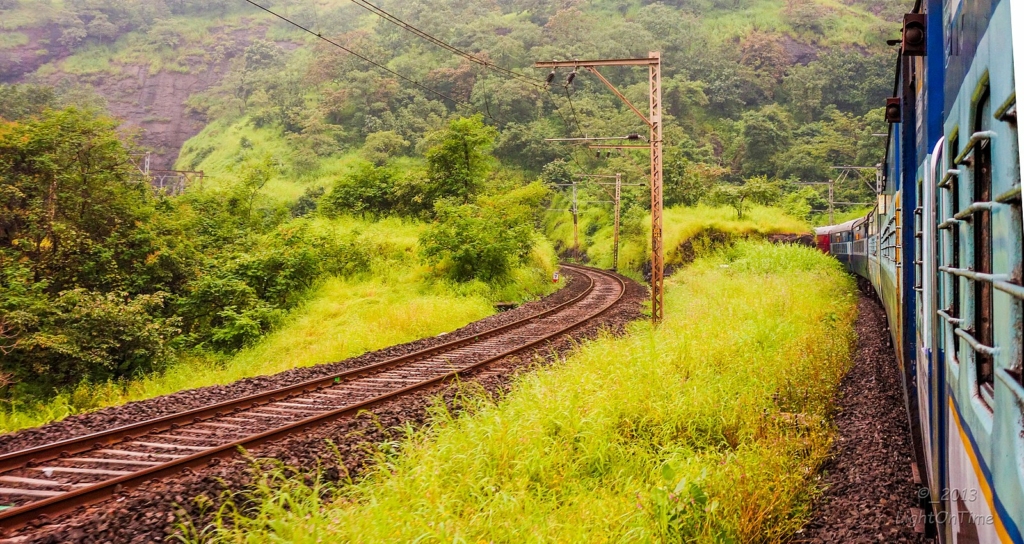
[98, 276]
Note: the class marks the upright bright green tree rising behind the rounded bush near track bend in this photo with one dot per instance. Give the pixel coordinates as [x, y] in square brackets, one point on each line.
[459, 159]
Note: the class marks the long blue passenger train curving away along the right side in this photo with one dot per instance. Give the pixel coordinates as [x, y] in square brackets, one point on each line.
[943, 250]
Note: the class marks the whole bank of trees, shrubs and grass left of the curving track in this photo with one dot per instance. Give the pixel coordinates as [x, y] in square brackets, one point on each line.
[111, 294]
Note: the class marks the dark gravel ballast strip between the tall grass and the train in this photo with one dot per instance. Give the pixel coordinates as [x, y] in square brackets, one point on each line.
[870, 488]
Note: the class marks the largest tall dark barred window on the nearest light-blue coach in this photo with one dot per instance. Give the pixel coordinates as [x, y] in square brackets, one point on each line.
[983, 228]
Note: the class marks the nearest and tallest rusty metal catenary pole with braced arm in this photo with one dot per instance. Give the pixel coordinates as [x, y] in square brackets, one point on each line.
[654, 121]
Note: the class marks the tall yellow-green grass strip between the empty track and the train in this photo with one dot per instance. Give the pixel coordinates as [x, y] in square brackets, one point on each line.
[708, 429]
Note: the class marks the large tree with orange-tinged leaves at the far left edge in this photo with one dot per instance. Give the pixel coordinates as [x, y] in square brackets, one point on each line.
[68, 204]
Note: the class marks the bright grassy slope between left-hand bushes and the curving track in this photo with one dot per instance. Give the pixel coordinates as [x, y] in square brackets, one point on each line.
[399, 301]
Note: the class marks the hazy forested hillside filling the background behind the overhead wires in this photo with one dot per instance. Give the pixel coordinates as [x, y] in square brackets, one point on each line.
[752, 88]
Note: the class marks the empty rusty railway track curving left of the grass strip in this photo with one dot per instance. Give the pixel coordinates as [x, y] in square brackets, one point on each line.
[55, 479]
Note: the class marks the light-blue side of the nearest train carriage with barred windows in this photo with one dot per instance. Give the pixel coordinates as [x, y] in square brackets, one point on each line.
[980, 332]
